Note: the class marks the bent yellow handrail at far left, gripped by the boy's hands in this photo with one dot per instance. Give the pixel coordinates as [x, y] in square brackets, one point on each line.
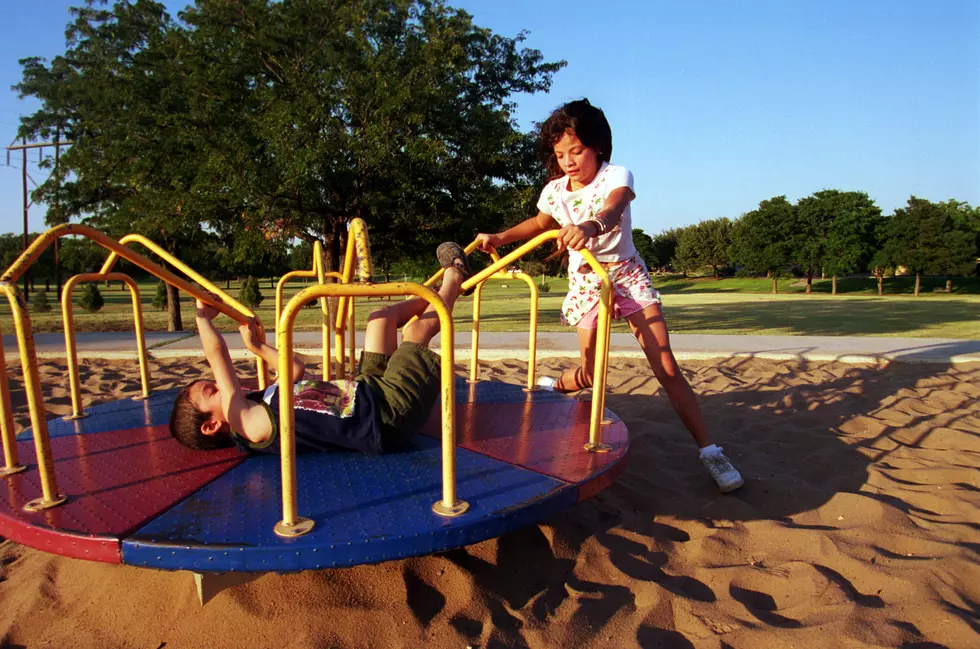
[25, 337]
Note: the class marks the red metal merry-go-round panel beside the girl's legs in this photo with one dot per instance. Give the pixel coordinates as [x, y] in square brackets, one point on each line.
[544, 436]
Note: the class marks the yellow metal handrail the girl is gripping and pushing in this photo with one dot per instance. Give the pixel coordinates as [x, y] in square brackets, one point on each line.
[604, 324]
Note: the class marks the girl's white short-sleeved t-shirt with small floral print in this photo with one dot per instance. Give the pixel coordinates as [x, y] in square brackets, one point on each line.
[577, 207]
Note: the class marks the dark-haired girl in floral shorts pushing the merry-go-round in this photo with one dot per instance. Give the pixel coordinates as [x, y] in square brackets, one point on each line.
[589, 199]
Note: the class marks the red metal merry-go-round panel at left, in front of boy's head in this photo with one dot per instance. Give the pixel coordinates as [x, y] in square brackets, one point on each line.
[115, 482]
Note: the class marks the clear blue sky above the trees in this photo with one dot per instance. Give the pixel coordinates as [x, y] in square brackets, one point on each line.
[714, 105]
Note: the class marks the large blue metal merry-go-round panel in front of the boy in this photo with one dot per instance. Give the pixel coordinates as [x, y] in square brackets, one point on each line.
[366, 508]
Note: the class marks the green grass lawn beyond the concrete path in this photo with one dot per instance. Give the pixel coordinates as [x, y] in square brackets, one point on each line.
[728, 306]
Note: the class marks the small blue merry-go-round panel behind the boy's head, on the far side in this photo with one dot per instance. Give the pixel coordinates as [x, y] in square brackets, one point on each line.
[115, 415]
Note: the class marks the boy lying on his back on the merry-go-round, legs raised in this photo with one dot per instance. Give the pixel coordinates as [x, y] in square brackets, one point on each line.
[389, 400]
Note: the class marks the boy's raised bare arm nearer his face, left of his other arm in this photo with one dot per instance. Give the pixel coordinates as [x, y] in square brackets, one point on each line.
[245, 417]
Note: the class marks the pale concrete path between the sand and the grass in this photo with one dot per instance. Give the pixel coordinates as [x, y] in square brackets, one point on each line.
[493, 346]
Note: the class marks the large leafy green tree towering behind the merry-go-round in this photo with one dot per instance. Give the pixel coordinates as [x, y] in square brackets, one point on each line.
[266, 121]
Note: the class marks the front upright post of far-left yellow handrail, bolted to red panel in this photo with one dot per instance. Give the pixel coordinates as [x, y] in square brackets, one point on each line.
[32, 387]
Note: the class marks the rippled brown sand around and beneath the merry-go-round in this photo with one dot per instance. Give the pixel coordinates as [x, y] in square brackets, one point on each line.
[858, 527]
